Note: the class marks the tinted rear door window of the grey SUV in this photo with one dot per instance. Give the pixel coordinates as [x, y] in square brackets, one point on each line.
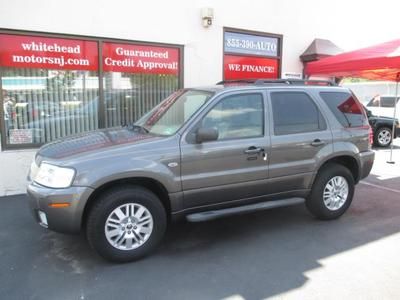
[295, 112]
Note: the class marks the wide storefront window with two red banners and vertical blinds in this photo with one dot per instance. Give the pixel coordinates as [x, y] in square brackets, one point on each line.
[51, 87]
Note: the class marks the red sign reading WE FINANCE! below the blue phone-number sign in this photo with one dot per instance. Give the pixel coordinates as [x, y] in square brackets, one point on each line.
[246, 67]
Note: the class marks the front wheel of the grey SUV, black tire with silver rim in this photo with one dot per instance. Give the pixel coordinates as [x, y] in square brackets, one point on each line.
[136, 222]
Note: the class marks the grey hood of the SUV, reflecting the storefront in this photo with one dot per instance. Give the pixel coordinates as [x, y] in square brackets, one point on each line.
[93, 141]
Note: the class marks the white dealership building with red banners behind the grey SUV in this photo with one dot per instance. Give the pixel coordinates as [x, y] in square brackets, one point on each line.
[85, 65]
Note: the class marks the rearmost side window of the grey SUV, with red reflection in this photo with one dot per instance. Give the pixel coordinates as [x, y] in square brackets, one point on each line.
[346, 108]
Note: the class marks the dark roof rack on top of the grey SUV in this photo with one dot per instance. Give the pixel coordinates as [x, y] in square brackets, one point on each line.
[279, 81]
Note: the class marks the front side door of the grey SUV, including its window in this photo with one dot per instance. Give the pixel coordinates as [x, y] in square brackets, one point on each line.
[232, 167]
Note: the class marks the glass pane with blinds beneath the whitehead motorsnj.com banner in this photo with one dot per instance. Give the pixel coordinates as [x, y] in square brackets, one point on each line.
[41, 105]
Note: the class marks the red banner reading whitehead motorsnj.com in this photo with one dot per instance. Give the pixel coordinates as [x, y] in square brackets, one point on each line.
[21, 51]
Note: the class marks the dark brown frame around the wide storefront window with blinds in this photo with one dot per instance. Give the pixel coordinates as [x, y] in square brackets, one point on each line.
[101, 107]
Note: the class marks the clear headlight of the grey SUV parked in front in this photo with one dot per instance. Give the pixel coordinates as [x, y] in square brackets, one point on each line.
[53, 176]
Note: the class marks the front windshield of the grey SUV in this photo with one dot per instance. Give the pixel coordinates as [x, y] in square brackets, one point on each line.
[167, 117]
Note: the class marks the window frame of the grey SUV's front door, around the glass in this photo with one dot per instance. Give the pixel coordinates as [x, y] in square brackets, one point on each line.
[189, 138]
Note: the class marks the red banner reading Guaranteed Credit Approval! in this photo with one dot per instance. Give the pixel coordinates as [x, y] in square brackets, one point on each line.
[131, 58]
